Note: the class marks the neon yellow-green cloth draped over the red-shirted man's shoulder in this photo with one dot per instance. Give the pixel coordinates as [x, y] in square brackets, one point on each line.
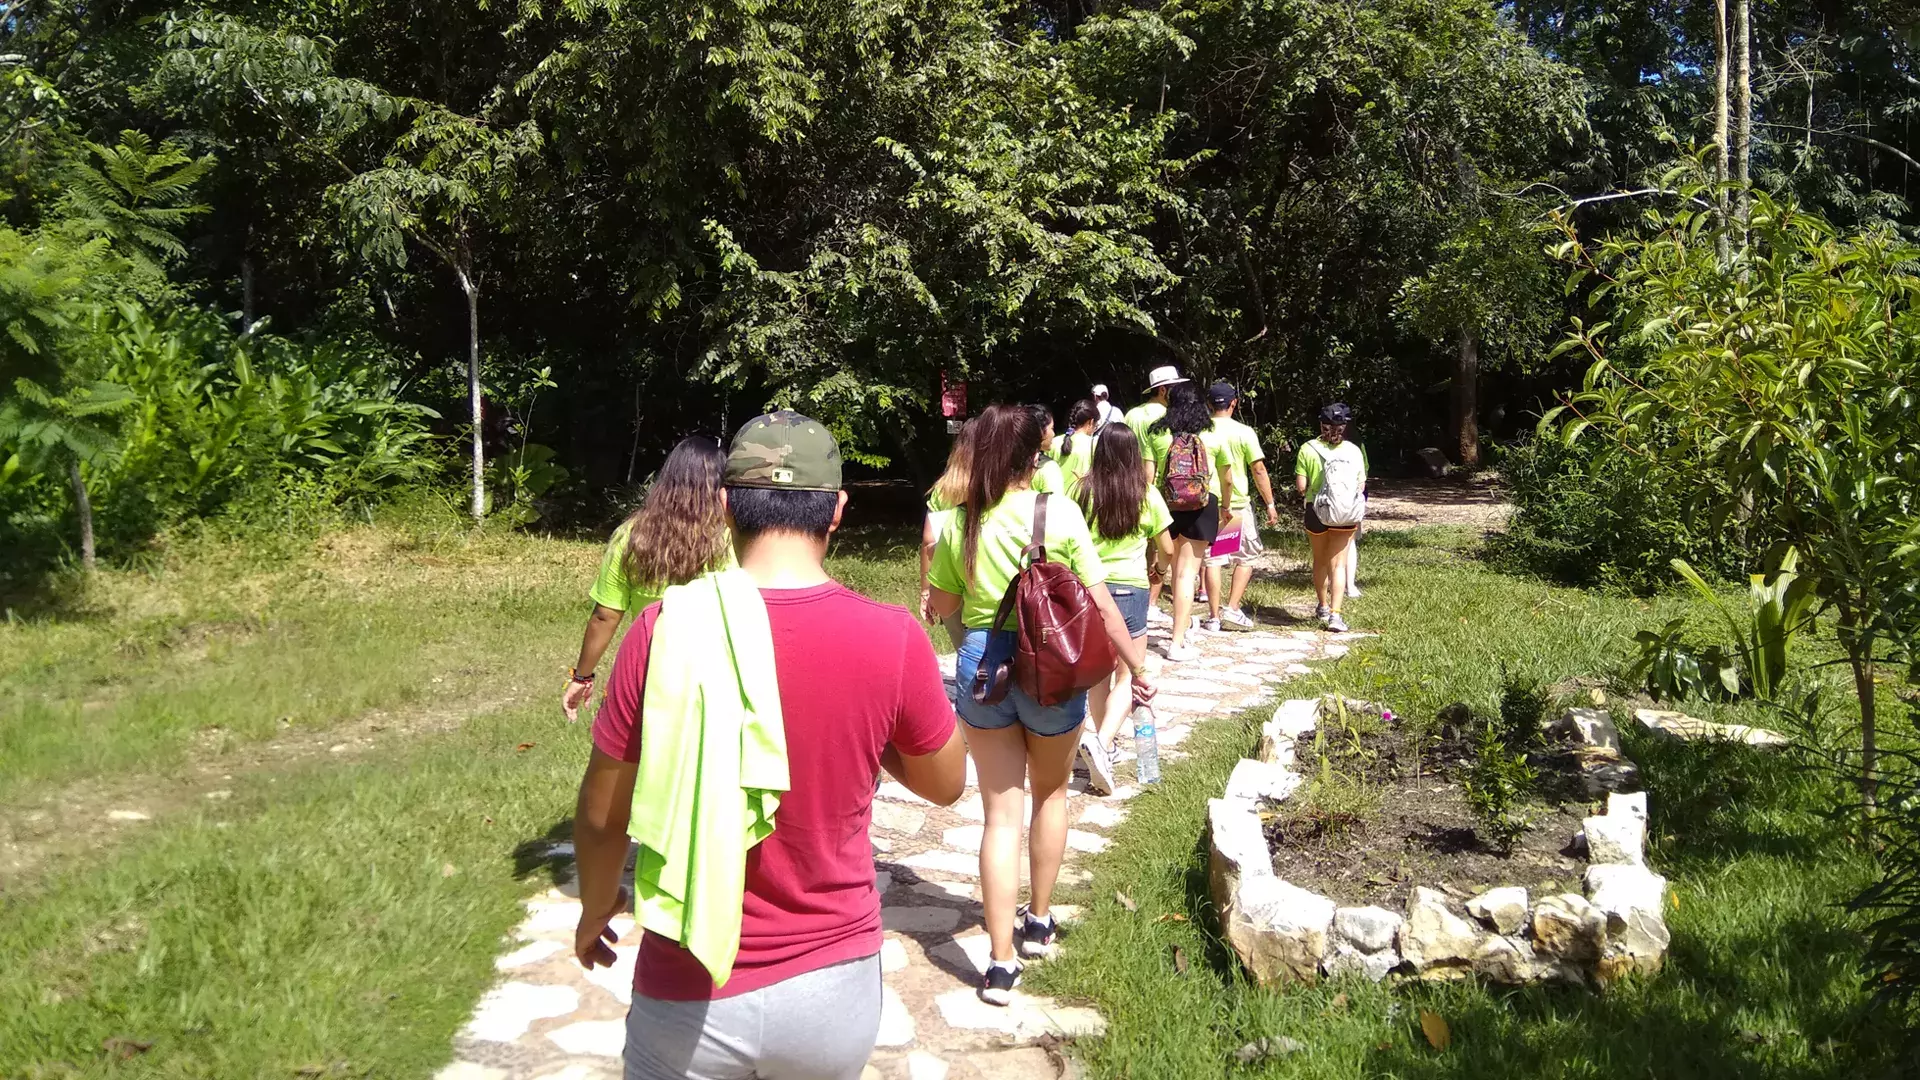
[713, 762]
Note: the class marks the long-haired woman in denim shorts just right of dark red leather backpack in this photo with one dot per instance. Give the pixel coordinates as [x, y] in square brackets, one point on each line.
[1128, 518]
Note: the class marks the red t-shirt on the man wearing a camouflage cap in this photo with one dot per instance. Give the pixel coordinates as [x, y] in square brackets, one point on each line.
[853, 677]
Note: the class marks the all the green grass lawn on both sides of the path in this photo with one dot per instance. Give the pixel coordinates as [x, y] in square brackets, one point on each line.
[339, 914]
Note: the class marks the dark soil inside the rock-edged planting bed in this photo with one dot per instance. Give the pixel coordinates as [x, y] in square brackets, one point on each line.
[1420, 829]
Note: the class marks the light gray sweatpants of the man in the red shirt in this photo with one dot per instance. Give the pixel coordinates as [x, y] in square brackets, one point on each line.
[811, 1027]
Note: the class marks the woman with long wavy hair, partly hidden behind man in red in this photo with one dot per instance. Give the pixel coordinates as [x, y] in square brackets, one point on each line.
[677, 535]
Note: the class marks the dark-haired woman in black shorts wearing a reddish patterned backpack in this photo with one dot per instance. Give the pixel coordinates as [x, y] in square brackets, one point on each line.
[1188, 430]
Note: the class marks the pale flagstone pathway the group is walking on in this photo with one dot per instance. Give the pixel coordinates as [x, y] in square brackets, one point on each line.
[552, 1021]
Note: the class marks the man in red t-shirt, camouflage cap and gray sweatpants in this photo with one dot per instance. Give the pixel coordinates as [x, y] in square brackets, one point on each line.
[859, 691]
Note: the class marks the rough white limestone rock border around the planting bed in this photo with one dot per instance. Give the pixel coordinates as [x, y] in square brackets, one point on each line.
[1289, 935]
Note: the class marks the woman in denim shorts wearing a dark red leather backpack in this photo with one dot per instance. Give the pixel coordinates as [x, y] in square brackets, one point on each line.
[1017, 743]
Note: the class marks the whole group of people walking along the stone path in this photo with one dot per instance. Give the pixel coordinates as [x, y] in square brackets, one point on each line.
[775, 697]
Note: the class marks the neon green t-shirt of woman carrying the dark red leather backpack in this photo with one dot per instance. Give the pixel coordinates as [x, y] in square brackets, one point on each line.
[1003, 537]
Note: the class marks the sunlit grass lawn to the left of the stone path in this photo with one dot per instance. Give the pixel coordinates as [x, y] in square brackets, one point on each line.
[337, 914]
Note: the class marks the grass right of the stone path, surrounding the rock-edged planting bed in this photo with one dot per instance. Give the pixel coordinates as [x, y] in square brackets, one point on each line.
[1762, 977]
